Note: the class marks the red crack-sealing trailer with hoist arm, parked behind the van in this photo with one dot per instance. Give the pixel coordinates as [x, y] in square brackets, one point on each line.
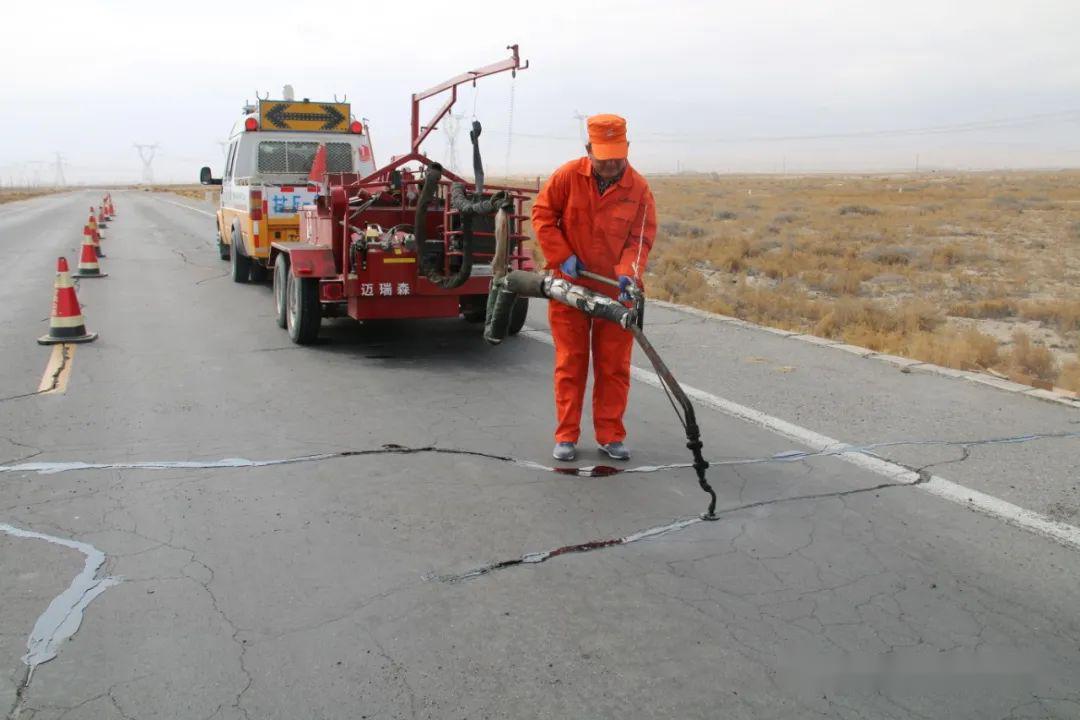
[409, 241]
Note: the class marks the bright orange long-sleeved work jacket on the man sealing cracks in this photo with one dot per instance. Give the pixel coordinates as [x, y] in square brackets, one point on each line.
[612, 235]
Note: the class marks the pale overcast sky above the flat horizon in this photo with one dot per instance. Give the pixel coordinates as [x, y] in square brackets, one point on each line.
[746, 87]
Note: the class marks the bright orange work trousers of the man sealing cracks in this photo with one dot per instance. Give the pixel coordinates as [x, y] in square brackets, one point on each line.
[575, 335]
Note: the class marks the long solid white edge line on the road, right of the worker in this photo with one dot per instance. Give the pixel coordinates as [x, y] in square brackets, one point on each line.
[1021, 518]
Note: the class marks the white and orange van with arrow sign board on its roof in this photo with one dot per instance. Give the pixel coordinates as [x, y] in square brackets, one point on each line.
[267, 165]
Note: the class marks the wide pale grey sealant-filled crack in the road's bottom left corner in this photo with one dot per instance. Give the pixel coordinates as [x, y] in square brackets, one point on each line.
[64, 616]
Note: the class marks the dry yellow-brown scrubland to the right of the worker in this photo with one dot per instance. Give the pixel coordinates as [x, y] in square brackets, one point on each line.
[973, 271]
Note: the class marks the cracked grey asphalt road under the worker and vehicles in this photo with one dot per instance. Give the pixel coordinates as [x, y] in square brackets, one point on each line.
[333, 588]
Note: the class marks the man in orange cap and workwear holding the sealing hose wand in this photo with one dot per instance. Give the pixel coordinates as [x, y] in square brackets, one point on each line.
[596, 214]
